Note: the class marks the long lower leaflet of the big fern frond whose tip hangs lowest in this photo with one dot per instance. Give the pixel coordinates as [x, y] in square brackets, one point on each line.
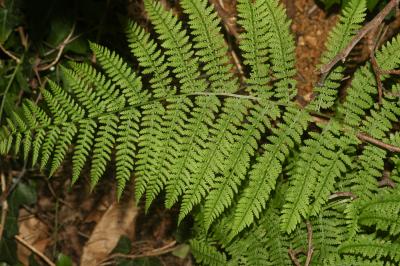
[268, 167]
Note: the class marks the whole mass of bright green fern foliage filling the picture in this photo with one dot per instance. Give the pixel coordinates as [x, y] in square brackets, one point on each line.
[268, 182]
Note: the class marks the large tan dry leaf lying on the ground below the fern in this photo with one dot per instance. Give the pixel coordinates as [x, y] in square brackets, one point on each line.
[118, 220]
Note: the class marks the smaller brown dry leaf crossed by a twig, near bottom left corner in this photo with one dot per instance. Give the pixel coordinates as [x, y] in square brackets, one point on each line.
[34, 232]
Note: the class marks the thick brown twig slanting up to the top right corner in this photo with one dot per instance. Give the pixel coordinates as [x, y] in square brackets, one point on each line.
[342, 55]
